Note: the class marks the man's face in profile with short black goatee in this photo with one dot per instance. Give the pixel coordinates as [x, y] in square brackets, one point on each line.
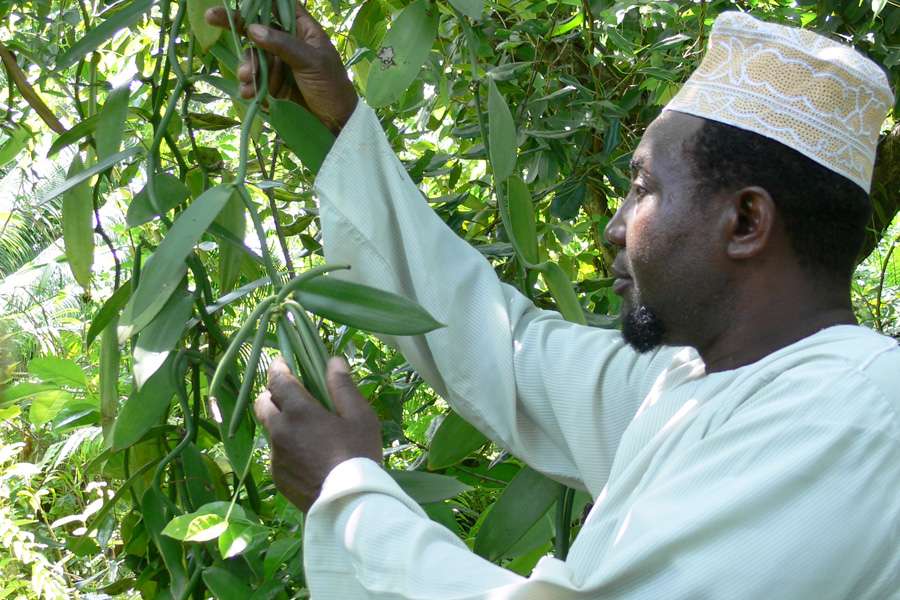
[670, 268]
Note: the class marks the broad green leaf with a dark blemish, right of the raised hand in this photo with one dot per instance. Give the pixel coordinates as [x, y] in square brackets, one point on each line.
[403, 51]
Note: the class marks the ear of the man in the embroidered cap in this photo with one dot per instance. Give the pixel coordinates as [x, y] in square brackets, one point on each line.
[750, 220]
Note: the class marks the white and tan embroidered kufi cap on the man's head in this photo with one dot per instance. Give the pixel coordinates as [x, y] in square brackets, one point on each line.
[819, 97]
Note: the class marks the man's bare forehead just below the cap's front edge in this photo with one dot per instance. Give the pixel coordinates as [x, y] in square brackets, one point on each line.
[664, 147]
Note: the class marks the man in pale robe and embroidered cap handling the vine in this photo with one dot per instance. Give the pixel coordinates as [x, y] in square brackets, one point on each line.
[740, 438]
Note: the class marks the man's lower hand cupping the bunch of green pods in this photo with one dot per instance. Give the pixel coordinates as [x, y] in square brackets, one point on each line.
[307, 440]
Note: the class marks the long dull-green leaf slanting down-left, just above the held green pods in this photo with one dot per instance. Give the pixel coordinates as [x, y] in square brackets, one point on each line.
[164, 270]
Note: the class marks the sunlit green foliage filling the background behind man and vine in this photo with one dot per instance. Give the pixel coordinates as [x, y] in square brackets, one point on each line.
[582, 78]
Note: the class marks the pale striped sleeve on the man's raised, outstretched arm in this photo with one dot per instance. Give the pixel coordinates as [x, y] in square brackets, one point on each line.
[557, 395]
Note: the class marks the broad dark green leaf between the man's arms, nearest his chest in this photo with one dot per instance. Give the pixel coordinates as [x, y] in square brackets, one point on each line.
[524, 501]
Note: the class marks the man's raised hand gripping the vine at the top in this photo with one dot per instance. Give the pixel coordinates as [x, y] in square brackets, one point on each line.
[305, 68]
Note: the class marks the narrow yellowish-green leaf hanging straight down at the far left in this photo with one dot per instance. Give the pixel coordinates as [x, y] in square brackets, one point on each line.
[78, 226]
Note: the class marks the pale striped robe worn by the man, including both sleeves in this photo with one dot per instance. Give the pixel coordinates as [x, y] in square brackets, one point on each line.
[780, 479]
